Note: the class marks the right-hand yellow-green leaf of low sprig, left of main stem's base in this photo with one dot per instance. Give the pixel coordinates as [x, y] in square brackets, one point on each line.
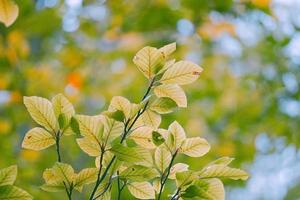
[85, 176]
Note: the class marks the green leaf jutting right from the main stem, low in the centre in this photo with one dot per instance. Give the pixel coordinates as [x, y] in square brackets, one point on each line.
[136, 155]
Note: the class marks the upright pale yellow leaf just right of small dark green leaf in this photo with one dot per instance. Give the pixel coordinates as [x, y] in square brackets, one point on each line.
[178, 134]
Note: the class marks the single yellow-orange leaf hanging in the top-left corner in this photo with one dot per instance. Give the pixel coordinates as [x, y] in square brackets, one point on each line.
[9, 12]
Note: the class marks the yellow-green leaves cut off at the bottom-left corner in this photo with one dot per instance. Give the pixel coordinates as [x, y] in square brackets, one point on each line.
[7, 189]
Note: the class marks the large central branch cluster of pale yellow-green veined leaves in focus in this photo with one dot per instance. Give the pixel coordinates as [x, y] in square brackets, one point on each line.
[126, 141]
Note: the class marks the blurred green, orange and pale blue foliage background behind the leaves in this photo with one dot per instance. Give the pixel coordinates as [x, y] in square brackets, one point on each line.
[246, 102]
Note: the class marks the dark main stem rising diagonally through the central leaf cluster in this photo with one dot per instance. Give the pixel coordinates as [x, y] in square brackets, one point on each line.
[125, 133]
